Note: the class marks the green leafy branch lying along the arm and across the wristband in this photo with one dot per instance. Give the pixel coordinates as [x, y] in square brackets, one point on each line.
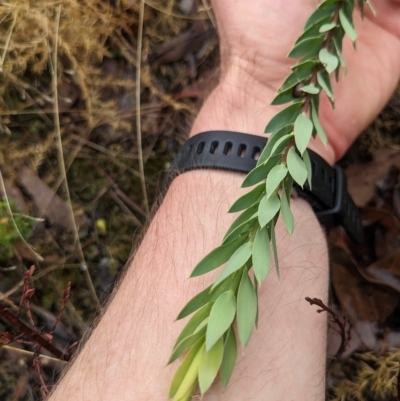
[209, 338]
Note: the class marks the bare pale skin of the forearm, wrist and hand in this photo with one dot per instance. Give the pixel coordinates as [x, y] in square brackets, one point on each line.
[125, 358]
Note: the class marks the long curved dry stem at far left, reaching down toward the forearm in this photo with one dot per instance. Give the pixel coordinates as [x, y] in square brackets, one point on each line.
[61, 163]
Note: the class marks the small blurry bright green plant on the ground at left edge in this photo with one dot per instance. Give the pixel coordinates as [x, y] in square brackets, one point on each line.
[9, 234]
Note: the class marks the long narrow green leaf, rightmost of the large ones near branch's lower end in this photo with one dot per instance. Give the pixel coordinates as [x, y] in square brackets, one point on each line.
[246, 309]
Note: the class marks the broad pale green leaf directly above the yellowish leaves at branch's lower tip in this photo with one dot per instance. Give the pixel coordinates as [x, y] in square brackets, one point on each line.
[221, 317]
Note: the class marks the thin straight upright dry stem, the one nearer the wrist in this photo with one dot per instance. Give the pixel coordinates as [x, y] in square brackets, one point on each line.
[138, 118]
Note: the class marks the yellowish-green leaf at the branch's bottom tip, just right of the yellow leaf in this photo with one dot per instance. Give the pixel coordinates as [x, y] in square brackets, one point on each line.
[210, 362]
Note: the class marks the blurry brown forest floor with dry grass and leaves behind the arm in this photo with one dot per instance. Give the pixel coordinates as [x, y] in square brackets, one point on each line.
[83, 150]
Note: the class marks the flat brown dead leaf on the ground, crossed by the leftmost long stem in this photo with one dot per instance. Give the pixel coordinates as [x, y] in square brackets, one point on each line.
[47, 202]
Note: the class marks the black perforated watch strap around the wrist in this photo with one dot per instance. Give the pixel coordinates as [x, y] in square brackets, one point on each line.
[234, 151]
